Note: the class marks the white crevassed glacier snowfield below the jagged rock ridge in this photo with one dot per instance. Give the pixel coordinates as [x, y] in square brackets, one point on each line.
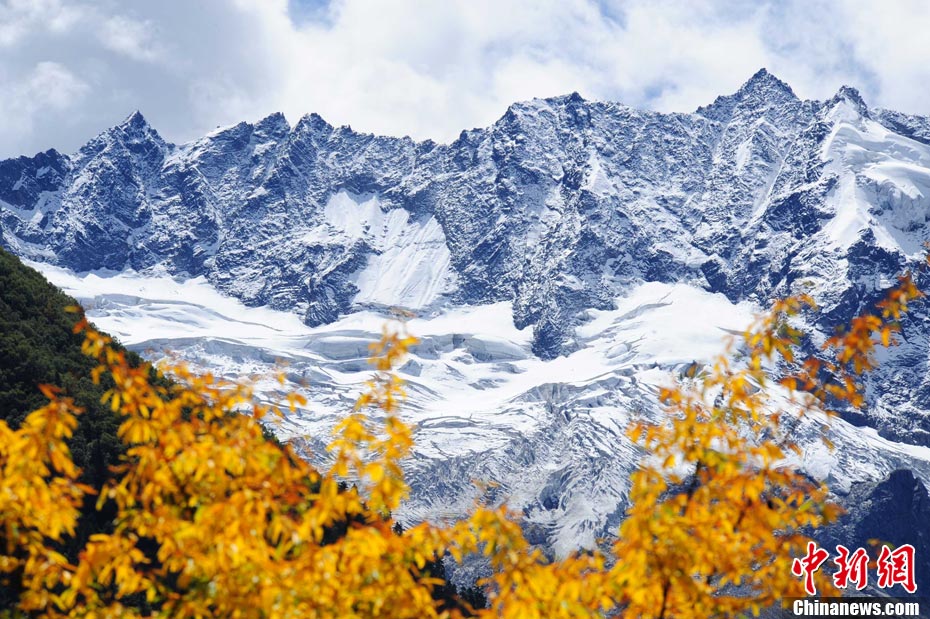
[485, 408]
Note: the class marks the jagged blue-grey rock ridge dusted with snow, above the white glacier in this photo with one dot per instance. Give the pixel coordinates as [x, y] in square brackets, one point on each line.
[558, 207]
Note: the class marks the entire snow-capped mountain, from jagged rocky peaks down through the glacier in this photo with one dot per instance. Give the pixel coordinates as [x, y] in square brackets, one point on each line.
[561, 262]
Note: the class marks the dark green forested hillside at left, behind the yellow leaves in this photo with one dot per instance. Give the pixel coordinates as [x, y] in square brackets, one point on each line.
[38, 346]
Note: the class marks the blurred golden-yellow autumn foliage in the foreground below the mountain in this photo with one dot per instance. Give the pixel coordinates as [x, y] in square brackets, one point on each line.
[213, 520]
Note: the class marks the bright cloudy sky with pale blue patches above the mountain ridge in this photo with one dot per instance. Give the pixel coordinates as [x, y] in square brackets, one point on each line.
[427, 68]
